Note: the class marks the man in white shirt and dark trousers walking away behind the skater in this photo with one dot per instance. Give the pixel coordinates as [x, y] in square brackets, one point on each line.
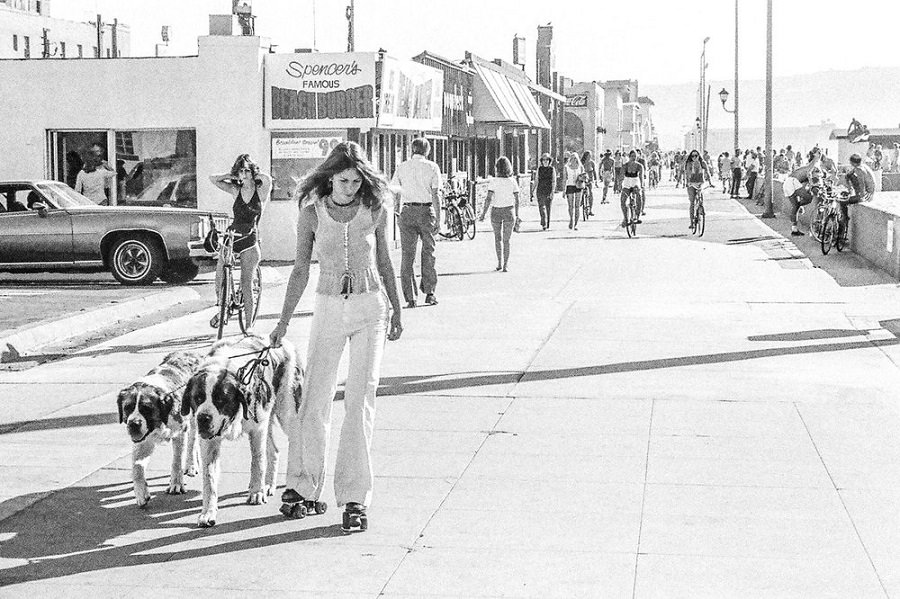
[419, 180]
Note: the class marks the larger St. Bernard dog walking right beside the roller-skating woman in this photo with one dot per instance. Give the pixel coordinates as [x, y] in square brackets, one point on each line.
[226, 407]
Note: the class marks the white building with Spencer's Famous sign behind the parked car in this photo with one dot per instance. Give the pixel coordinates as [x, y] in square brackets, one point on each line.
[170, 122]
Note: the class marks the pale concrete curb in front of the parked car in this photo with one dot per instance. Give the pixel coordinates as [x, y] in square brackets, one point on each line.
[33, 336]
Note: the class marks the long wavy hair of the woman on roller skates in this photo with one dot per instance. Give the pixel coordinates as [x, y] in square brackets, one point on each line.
[372, 192]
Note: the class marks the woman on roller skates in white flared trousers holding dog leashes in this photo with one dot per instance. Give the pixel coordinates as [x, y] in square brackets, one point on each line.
[342, 209]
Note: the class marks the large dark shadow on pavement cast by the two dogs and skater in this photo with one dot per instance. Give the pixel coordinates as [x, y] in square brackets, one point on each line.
[76, 530]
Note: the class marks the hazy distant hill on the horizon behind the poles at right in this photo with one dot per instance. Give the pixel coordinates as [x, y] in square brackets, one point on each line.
[872, 95]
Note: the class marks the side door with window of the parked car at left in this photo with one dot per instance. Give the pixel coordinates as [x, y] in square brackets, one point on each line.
[27, 237]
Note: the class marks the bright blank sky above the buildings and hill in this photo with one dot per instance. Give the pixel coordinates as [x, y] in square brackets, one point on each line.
[656, 42]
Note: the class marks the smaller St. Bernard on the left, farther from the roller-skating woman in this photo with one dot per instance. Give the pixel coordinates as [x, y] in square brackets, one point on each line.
[151, 410]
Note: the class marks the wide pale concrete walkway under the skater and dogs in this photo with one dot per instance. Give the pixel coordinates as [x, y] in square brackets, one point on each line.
[666, 416]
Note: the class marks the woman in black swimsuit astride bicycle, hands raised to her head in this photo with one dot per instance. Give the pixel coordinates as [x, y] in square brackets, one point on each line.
[250, 189]
